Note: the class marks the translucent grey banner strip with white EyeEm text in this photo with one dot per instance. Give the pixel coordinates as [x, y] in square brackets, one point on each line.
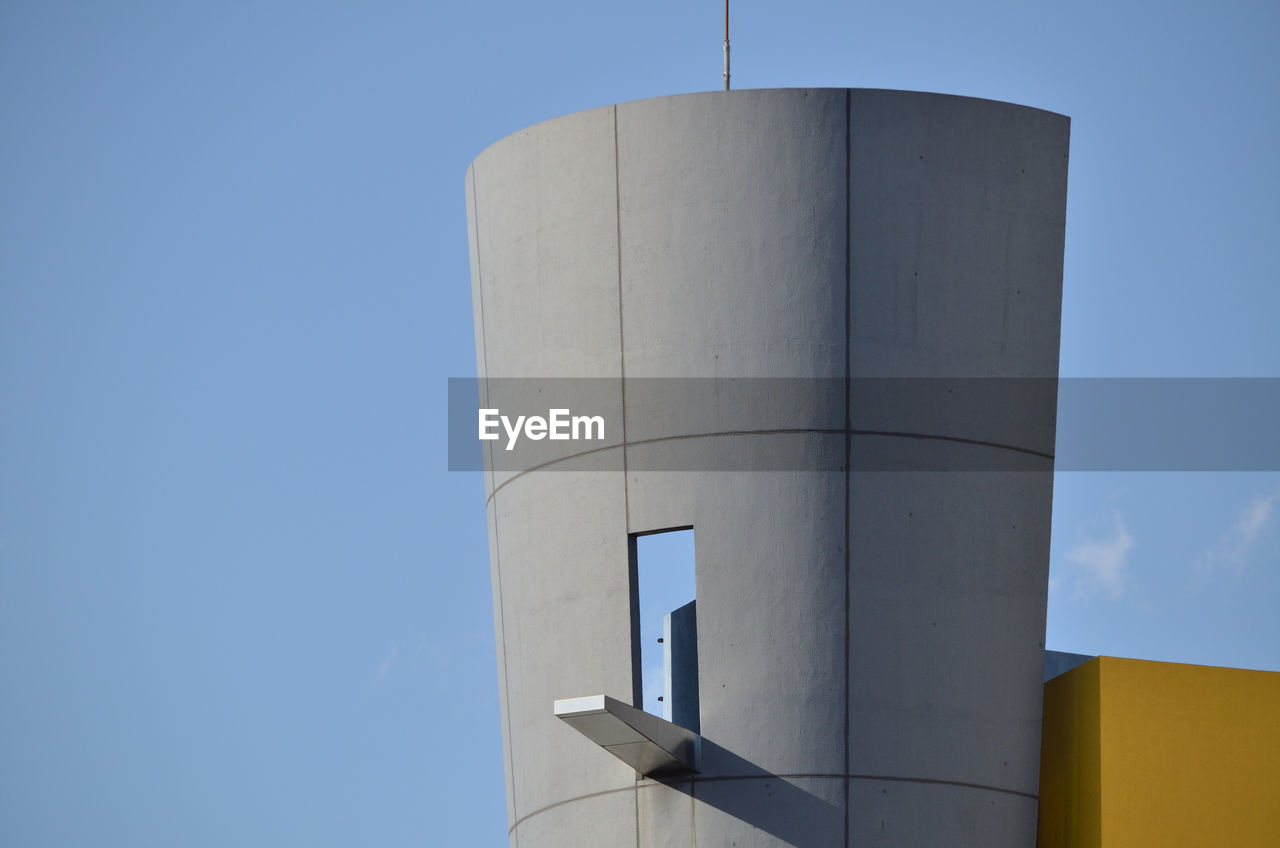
[866, 425]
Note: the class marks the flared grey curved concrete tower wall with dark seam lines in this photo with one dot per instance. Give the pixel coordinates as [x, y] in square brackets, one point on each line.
[870, 642]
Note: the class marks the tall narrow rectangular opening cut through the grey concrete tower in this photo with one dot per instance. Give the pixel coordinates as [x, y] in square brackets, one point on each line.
[665, 626]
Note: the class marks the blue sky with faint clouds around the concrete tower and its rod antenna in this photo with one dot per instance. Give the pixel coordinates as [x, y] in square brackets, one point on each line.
[241, 600]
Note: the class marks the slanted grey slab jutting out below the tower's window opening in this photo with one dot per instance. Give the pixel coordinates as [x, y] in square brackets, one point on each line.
[650, 745]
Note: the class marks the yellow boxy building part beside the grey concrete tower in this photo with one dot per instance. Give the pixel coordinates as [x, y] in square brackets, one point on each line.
[1144, 754]
